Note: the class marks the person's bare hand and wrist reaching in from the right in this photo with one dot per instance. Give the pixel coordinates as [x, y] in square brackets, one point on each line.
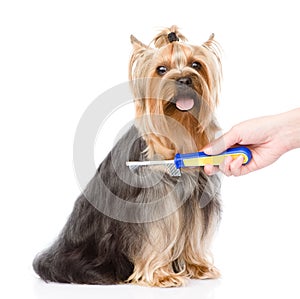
[267, 138]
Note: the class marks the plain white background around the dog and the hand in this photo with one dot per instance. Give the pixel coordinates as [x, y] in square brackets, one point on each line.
[56, 57]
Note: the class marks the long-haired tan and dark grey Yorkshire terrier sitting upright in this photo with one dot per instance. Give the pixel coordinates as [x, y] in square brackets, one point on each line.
[162, 226]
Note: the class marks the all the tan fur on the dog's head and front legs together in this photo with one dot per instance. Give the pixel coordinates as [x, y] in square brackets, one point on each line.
[171, 242]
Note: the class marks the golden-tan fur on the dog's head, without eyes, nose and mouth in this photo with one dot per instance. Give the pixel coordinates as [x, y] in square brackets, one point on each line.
[152, 101]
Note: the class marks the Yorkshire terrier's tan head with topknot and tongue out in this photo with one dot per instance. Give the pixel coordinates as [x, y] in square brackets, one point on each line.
[176, 89]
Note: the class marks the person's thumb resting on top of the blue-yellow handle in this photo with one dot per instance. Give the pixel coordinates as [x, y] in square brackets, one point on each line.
[221, 144]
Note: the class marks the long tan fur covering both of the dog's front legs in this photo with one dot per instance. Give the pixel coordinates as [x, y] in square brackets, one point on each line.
[168, 241]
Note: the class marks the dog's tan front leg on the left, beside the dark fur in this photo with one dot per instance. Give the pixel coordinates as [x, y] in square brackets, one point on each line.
[153, 264]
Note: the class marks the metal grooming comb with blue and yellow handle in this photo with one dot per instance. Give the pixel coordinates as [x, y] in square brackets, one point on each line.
[194, 159]
